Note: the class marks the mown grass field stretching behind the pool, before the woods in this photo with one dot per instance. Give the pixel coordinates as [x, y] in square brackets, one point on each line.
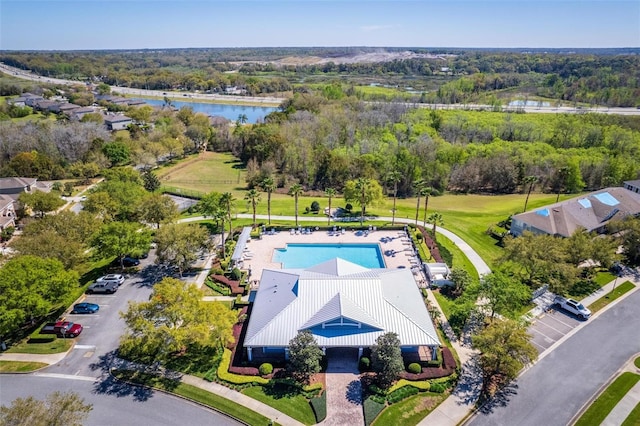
[468, 216]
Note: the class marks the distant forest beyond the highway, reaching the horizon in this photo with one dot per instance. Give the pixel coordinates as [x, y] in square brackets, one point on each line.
[610, 78]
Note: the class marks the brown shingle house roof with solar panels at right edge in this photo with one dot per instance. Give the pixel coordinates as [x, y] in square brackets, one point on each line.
[590, 212]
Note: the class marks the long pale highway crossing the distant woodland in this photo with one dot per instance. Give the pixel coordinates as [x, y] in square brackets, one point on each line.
[268, 101]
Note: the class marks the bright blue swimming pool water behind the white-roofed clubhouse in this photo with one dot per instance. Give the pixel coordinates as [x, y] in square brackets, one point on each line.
[301, 256]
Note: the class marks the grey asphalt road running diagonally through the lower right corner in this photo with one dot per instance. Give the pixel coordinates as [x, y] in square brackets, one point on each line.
[556, 387]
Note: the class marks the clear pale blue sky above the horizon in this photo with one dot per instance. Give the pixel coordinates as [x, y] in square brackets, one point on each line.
[137, 24]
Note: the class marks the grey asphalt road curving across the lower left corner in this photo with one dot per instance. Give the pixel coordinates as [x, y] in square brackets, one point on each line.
[114, 403]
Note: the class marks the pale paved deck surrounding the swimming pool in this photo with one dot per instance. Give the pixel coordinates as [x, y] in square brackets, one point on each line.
[259, 253]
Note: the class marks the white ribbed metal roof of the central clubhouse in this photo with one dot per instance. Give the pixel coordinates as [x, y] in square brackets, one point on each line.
[342, 304]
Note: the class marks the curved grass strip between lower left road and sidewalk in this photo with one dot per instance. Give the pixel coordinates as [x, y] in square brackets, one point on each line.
[209, 399]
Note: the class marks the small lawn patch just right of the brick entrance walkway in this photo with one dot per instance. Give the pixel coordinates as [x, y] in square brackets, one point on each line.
[410, 411]
